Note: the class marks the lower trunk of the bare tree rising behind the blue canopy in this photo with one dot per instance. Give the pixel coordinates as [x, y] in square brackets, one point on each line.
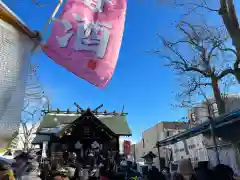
[217, 95]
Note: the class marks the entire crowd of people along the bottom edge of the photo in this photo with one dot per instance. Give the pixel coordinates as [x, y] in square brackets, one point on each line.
[27, 167]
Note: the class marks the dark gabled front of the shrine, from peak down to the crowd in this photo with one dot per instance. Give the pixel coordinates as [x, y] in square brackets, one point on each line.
[84, 136]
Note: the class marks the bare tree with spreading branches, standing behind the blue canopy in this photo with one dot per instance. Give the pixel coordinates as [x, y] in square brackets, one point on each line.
[198, 58]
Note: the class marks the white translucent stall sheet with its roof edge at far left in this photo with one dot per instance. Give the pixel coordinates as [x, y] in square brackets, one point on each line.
[17, 43]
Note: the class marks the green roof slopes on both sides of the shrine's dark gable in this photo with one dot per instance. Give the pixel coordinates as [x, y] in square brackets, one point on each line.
[53, 122]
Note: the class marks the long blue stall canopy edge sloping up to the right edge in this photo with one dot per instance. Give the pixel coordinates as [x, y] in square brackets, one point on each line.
[202, 128]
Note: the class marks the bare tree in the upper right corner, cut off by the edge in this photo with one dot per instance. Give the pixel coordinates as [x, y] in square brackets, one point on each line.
[227, 12]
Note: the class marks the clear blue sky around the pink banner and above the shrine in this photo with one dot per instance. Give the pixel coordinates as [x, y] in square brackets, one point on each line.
[140, 82]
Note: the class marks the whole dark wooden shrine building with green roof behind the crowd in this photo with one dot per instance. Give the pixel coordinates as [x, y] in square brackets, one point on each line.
[91, 137]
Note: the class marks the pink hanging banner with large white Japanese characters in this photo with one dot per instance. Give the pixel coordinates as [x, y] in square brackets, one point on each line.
[86, 39]
